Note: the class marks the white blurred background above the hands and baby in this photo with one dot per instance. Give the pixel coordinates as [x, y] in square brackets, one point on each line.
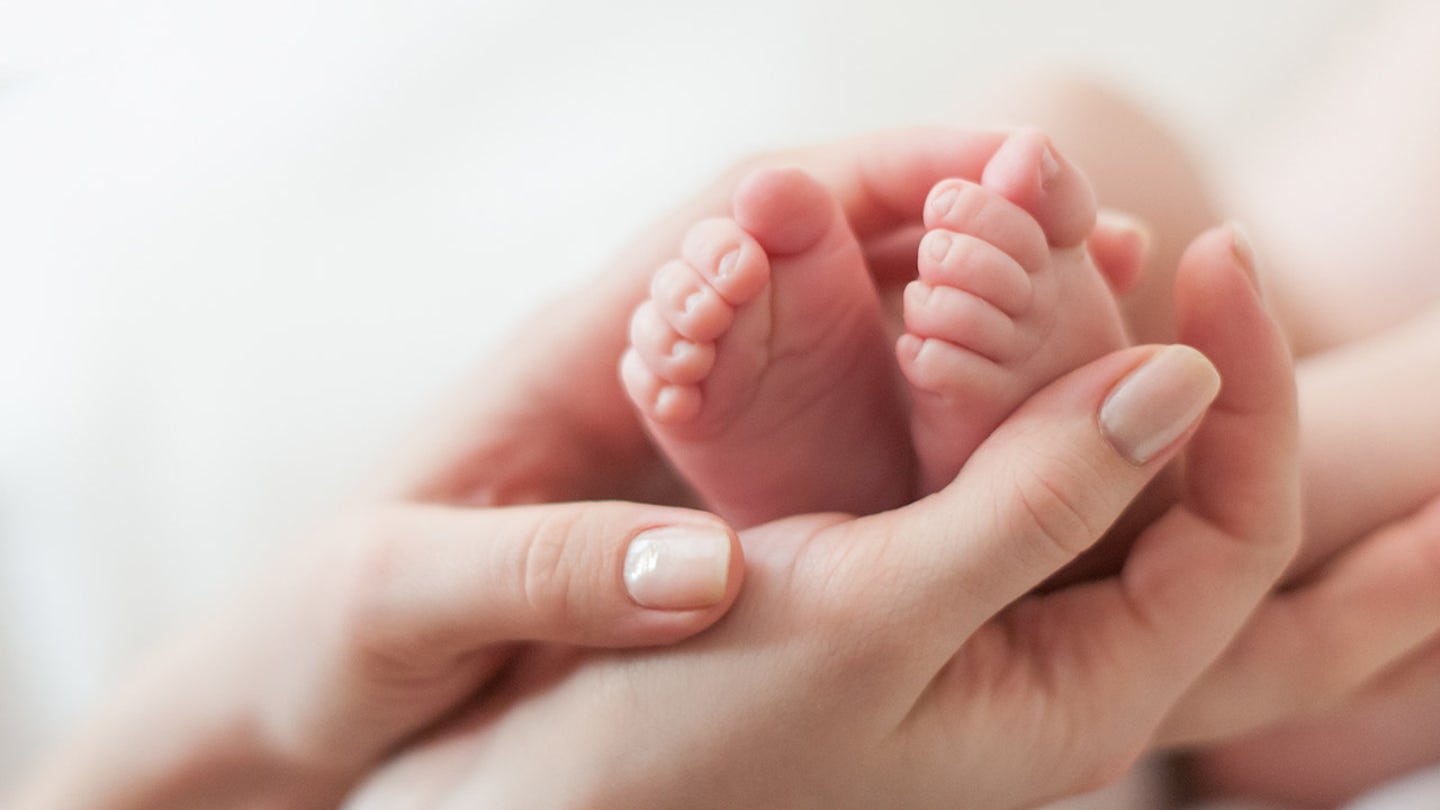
[244, 246]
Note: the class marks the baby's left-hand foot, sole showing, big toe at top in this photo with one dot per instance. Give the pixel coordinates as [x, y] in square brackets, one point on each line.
[760, 361]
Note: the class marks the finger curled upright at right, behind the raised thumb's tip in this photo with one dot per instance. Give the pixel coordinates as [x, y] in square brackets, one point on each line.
[1196, 574]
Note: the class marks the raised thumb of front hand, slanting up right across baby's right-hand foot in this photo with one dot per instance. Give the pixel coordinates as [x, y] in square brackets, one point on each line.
[1043, 488]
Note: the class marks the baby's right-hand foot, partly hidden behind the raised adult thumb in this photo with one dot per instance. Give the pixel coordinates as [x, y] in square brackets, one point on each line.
[1004, 305]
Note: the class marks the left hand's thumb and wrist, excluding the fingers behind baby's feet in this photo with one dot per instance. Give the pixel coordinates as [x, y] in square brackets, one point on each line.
[371, 635]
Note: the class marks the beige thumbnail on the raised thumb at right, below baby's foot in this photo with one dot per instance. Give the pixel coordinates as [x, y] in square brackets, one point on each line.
[1153, 407]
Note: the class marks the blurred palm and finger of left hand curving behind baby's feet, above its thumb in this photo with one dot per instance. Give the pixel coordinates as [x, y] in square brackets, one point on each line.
[548, 420]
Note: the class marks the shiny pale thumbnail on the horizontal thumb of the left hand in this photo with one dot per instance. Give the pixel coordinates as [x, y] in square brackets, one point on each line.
[679, 567]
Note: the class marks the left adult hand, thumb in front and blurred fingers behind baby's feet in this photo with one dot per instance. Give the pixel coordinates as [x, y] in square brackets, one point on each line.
[408, 609]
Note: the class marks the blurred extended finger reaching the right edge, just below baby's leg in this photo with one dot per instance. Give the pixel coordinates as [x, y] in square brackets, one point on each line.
[1318, 645]
